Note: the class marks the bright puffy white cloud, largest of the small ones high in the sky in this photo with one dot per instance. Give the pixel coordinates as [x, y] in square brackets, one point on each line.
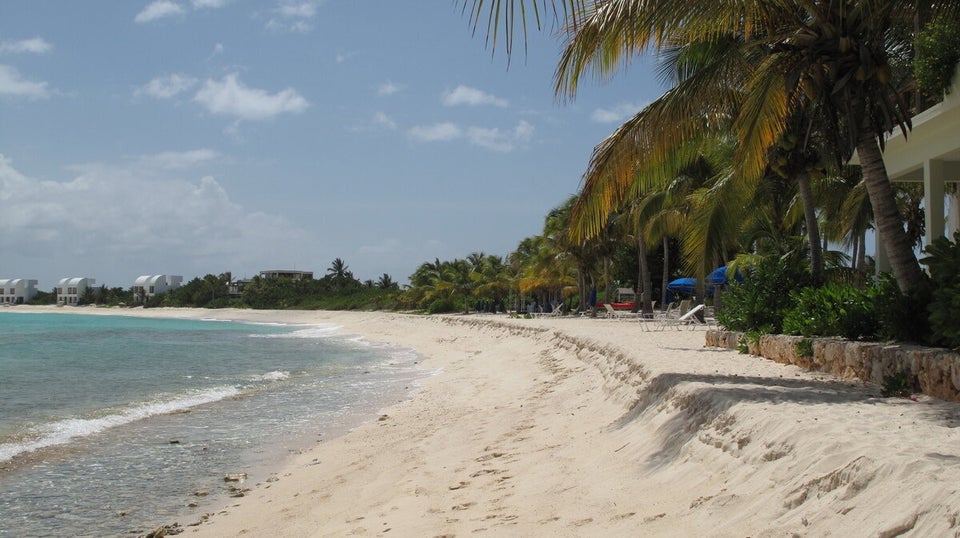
[229, 97]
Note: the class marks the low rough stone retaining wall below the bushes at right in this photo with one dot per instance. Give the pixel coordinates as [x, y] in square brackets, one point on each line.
[935, 371]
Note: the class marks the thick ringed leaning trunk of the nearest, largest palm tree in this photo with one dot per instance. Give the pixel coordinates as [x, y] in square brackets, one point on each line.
[903, 261]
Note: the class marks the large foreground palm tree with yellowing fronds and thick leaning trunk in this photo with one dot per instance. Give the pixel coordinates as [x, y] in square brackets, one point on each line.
[829, 58]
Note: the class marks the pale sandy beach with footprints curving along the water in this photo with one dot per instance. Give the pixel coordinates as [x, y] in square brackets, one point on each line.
[586, 427]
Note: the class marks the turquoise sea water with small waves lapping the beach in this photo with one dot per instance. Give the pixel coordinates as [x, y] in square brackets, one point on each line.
[113, 425]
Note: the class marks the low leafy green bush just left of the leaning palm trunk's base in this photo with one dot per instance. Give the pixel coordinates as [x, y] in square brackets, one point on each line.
[834, 310]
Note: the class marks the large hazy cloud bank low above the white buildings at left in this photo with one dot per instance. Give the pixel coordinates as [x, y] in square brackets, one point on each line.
[151, 212]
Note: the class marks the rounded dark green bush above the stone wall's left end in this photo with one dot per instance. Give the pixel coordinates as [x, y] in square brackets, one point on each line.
[761, 301]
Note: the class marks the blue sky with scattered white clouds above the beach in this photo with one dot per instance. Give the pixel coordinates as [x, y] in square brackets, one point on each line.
[202, 136]
